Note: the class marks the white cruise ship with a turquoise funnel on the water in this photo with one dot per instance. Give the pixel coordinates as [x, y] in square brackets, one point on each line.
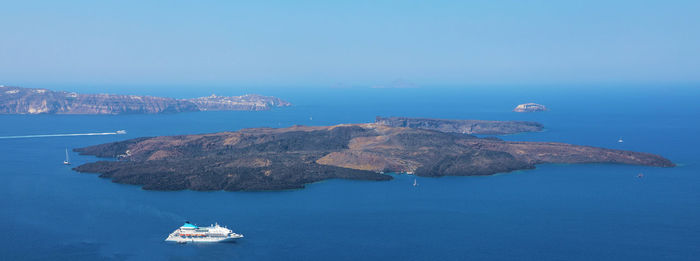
[191, 233]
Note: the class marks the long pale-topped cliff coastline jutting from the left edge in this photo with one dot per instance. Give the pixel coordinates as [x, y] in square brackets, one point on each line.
[16, 100]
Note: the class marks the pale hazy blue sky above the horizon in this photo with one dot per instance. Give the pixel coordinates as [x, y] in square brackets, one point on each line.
[325, 43]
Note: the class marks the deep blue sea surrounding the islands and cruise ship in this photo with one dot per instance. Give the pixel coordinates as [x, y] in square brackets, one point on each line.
[554, 212]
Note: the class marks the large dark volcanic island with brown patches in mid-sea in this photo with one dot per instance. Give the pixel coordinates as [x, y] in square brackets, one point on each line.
[287, 158]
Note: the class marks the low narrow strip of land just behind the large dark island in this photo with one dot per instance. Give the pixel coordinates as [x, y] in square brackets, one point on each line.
[462, 126]
